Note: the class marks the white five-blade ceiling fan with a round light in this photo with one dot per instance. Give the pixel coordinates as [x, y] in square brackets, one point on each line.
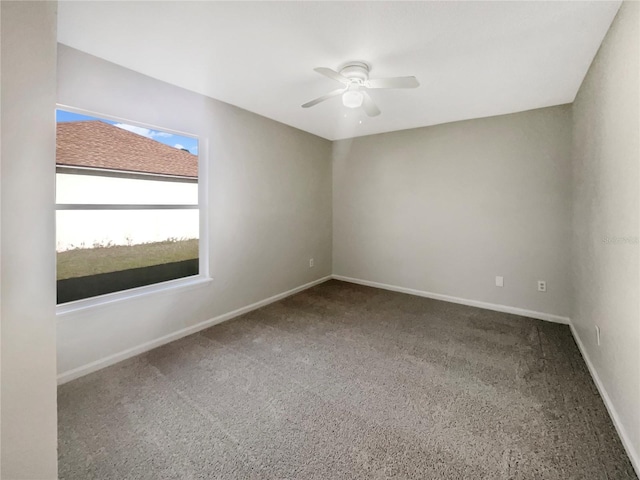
[354, 77]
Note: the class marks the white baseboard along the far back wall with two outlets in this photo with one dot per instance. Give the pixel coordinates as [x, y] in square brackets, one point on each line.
[463, 301]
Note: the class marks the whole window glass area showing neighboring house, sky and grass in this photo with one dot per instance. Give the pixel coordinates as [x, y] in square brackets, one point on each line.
[127, 208]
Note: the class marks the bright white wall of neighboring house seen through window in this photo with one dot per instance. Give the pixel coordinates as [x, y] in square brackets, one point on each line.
[86, 228]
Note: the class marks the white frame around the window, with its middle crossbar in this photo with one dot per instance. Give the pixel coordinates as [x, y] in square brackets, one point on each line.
[181, 284]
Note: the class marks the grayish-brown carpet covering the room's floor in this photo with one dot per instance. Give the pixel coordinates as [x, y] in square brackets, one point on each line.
[346, 382]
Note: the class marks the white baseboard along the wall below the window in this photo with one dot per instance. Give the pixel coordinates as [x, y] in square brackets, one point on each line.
[78, 372]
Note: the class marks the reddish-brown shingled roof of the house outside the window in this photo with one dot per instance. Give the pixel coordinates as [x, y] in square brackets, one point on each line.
[100, 145]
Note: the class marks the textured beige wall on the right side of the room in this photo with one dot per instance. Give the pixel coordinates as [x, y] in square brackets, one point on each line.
[605, 267]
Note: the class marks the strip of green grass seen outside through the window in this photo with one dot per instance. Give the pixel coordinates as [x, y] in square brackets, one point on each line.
[82, 262]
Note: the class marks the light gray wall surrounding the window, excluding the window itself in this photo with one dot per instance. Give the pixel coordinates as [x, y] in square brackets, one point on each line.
[270, 207]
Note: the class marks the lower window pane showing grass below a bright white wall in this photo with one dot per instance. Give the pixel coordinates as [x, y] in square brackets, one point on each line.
[106, 251]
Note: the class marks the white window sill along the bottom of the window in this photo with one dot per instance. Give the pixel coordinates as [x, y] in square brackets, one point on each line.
[182, 284]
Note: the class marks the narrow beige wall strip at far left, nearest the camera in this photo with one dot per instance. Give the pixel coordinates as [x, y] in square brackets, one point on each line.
[28, 419]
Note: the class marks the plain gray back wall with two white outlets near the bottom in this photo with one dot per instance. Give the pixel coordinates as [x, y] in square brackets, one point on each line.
[445, 209]
